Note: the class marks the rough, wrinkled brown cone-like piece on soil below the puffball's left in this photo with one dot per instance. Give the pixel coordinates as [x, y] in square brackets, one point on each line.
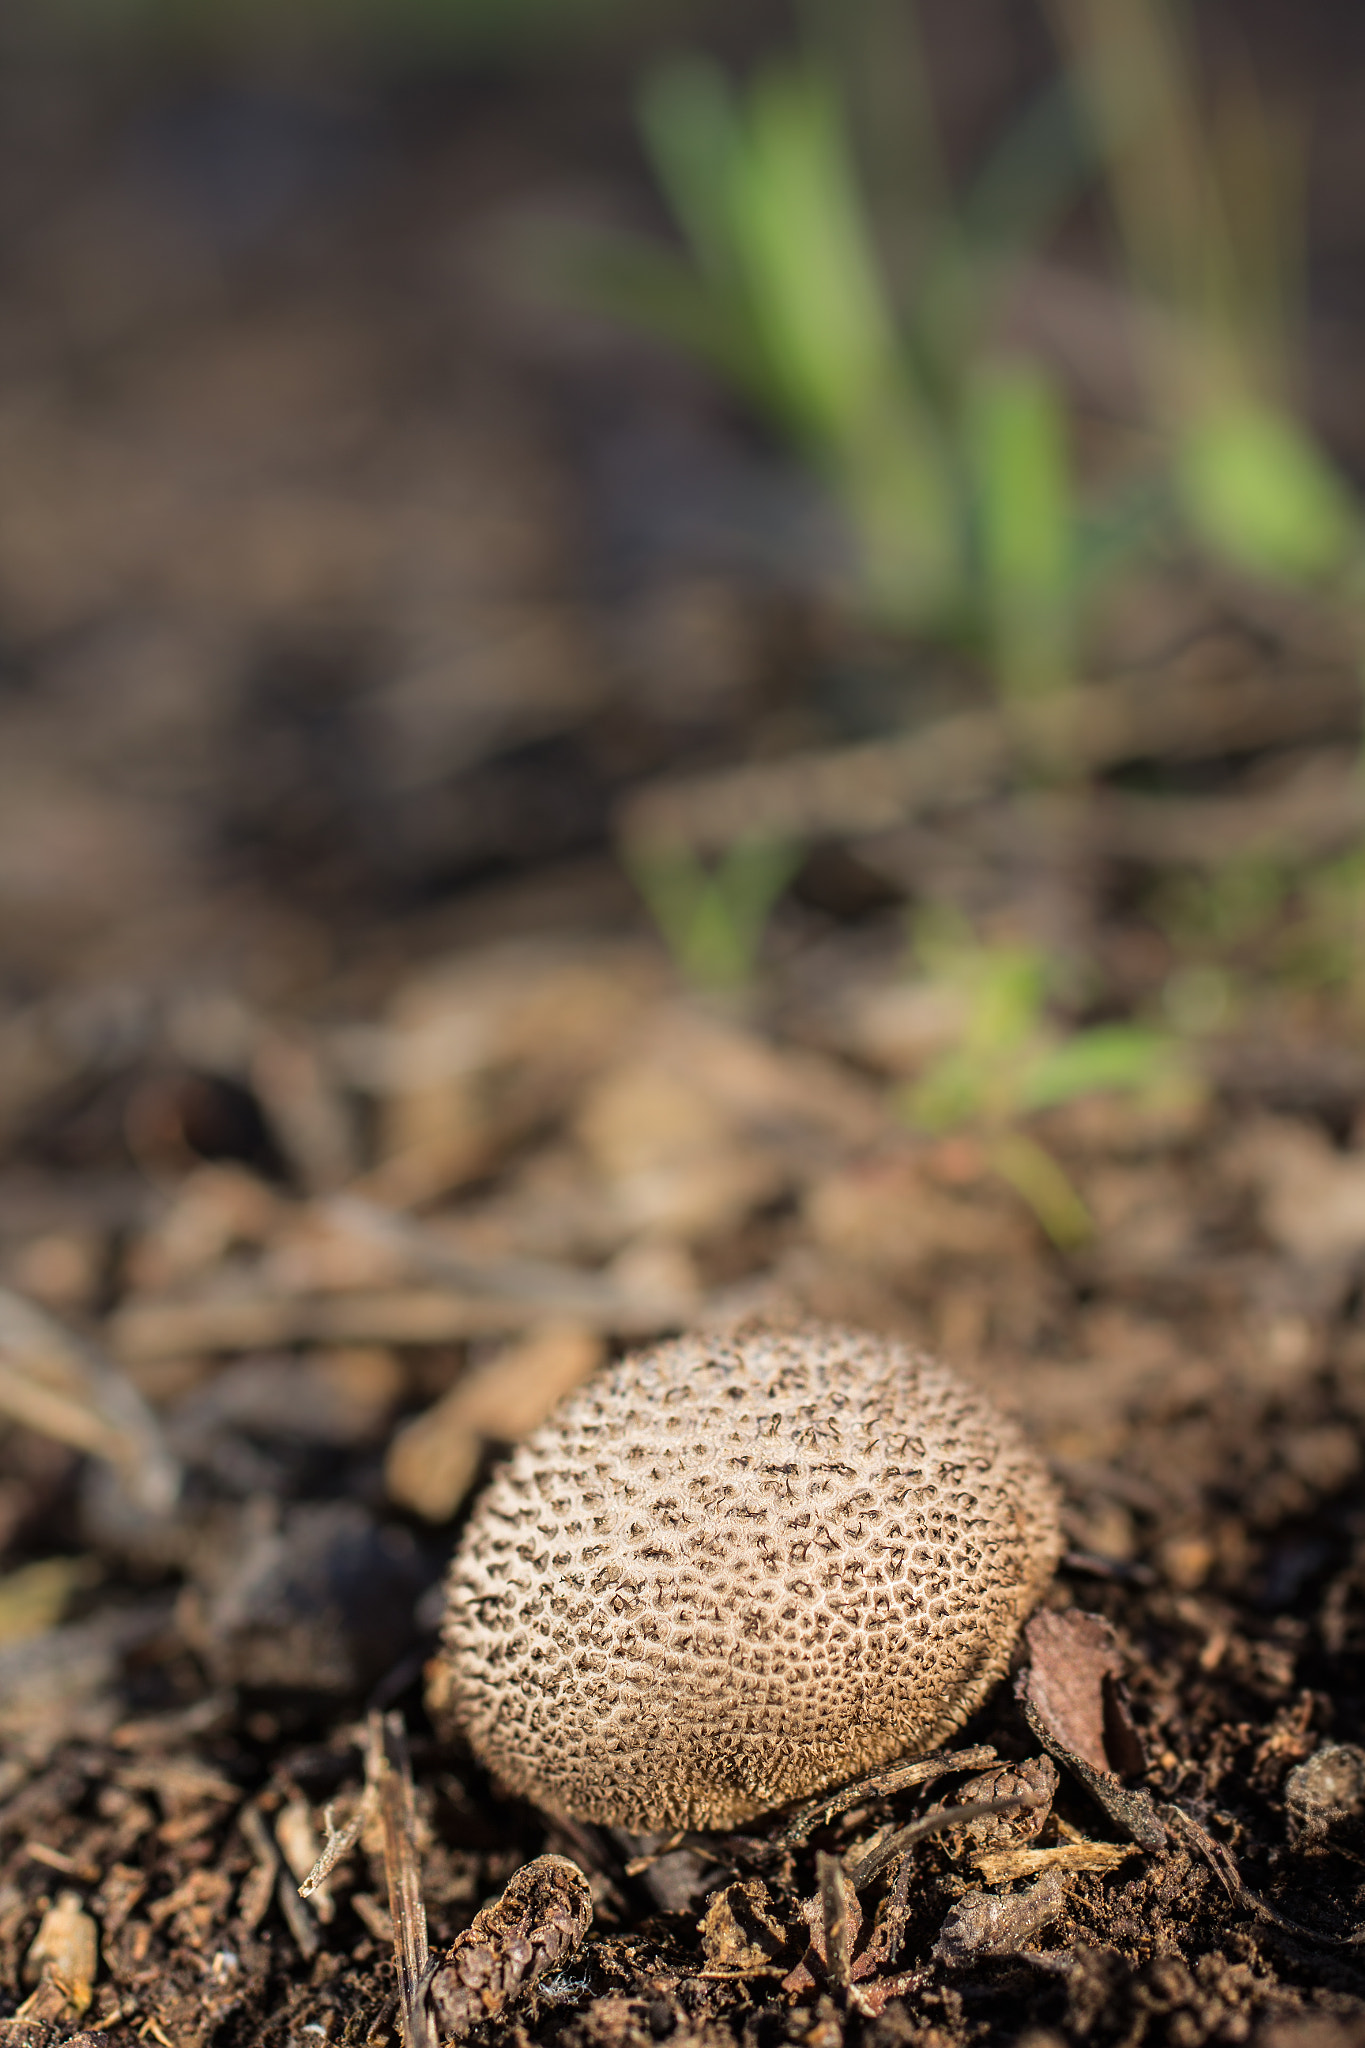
[533, 1928]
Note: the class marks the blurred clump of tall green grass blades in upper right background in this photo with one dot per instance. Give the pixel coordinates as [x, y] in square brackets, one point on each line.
[871, 337]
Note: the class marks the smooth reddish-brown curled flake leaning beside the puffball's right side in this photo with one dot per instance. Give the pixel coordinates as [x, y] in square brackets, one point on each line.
[1073, 1701]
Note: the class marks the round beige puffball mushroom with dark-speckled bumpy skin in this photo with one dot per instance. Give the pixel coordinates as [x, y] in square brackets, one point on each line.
[736, 1570]
